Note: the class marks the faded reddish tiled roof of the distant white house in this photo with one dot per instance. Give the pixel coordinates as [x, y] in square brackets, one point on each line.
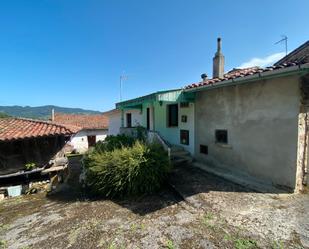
[82, 120]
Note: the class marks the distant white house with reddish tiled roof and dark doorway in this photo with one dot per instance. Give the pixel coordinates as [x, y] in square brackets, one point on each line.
[91, 129]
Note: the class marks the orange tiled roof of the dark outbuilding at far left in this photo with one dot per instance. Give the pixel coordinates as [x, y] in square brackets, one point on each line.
[19, 128]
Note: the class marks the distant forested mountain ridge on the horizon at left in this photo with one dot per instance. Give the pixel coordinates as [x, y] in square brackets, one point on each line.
[40, 112]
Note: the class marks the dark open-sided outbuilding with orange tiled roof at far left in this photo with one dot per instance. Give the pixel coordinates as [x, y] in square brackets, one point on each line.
[24, 141]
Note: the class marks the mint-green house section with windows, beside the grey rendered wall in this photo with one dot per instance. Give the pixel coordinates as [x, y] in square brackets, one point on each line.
[168, 113]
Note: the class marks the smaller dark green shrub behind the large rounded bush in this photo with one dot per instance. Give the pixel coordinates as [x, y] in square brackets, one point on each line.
[114, 142]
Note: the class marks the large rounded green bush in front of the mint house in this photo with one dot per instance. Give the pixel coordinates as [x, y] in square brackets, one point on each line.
[139, 169]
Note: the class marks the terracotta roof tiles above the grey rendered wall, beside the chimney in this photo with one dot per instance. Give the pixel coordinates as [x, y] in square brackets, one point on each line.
[242, 73]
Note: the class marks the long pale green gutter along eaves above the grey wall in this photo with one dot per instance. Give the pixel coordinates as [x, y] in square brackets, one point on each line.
[299, 69]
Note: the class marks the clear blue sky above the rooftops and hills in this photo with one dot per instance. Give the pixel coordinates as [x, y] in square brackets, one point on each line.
[72, 52]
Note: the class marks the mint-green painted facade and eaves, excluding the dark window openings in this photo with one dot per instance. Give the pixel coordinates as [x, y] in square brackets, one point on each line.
[158, 105]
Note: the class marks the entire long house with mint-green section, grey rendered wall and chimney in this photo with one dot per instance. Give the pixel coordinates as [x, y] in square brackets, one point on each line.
[249, 122]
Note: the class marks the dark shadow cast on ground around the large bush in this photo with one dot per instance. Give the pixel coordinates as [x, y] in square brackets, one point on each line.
[185, 181]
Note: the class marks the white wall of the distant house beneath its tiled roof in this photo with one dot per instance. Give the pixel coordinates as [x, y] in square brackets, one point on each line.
[80, 141]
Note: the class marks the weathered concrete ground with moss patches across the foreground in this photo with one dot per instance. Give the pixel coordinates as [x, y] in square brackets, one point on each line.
[213, 214]
